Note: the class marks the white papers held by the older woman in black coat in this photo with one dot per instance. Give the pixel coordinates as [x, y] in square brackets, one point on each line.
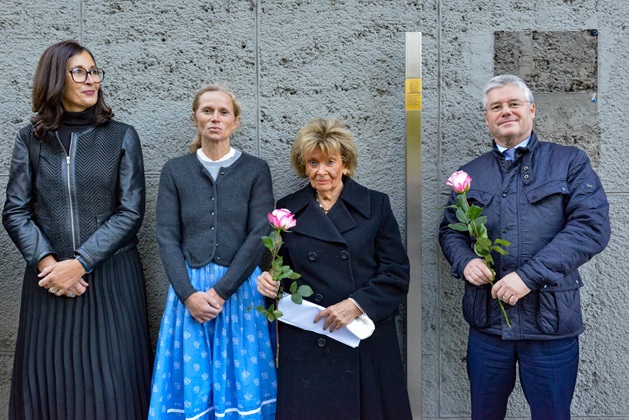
[301, 316]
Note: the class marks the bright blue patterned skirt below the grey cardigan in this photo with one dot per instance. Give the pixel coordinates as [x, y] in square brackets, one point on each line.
[223, 368]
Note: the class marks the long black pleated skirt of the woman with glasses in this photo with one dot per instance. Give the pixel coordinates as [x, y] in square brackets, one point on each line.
[84, 358]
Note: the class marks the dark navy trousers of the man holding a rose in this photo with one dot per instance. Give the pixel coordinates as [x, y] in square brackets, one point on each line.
[547, 368]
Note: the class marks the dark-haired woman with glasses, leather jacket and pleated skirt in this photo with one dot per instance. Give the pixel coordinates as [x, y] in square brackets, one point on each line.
[74, 204]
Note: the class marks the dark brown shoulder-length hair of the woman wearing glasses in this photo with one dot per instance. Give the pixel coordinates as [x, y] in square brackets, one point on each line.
[49, 85]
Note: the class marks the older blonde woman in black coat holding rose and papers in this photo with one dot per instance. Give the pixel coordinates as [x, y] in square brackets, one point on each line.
[347, 247]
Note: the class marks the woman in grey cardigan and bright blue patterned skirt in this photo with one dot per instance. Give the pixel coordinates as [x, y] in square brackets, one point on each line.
[214, 356]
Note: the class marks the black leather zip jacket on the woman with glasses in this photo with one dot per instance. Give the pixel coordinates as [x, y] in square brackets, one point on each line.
[90, 202]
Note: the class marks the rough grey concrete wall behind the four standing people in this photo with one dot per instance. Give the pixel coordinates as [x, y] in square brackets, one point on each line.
[291, 61]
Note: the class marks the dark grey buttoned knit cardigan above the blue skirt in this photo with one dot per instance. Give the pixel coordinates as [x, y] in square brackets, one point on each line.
[200, 220]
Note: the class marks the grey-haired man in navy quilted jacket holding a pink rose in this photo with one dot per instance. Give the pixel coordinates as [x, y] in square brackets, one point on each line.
[546, 200]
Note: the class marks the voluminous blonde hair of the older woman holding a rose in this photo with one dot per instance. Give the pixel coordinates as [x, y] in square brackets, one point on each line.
[329, 135]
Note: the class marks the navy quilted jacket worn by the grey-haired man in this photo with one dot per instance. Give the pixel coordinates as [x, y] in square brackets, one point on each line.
[551, 206]
